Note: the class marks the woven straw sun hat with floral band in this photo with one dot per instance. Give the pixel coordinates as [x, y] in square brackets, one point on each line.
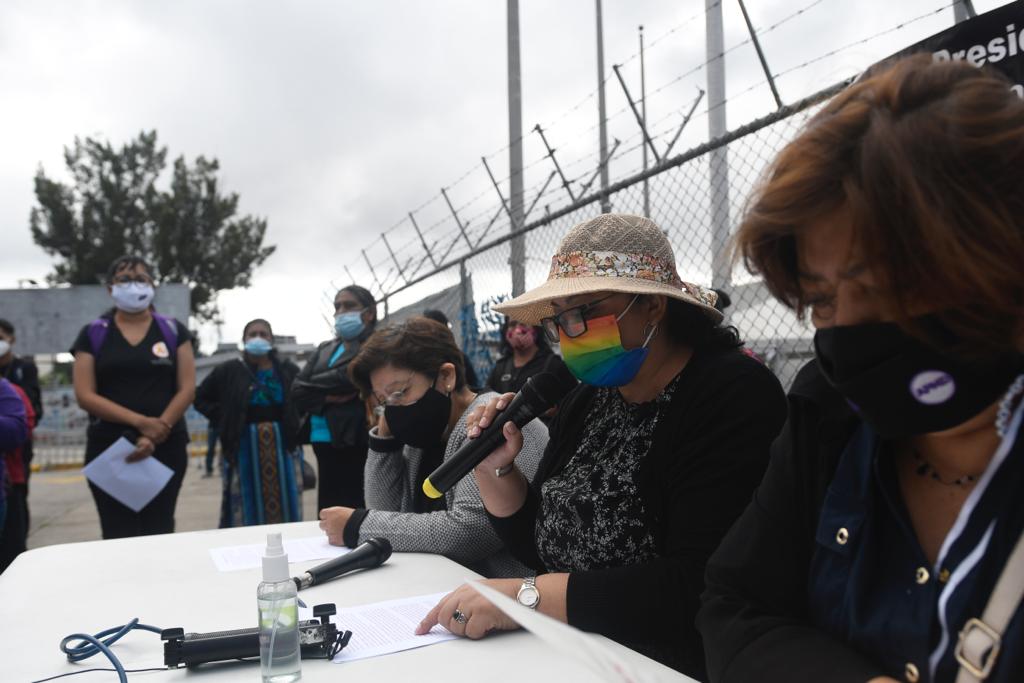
[611, 253]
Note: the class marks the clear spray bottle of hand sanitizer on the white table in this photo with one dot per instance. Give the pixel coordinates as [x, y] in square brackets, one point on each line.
[279, 618]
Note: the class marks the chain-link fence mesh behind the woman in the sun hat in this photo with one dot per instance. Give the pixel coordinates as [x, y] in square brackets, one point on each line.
[681, 200]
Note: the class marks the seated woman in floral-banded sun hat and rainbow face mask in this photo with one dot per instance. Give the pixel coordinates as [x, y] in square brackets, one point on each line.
[651, 460]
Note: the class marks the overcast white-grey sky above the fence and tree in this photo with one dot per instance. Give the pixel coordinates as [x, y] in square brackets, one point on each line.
[334, 118]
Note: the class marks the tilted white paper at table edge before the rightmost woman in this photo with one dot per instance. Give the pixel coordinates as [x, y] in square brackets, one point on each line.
[590, 652]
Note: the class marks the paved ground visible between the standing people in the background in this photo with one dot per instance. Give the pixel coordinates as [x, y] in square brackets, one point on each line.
[63, 510]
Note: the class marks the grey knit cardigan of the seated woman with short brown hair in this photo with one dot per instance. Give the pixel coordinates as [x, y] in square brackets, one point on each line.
[461, 532]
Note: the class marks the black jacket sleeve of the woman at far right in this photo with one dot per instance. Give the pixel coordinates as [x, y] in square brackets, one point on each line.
[754, 618]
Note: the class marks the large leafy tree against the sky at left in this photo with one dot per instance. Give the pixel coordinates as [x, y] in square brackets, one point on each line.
[190, 233]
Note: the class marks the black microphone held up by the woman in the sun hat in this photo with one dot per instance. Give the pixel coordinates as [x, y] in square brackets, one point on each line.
[540, 394]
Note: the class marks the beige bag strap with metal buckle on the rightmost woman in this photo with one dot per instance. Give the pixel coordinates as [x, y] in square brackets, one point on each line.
[982, 639]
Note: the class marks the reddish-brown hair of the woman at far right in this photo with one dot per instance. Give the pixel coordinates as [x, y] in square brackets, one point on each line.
[928, 161]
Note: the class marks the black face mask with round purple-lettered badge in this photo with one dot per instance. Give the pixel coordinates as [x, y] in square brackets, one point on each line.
[902, 387]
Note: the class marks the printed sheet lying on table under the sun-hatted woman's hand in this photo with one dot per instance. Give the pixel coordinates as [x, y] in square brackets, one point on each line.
[383, 628]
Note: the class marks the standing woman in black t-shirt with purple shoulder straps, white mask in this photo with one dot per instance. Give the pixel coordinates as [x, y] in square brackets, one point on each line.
[136, 376]
